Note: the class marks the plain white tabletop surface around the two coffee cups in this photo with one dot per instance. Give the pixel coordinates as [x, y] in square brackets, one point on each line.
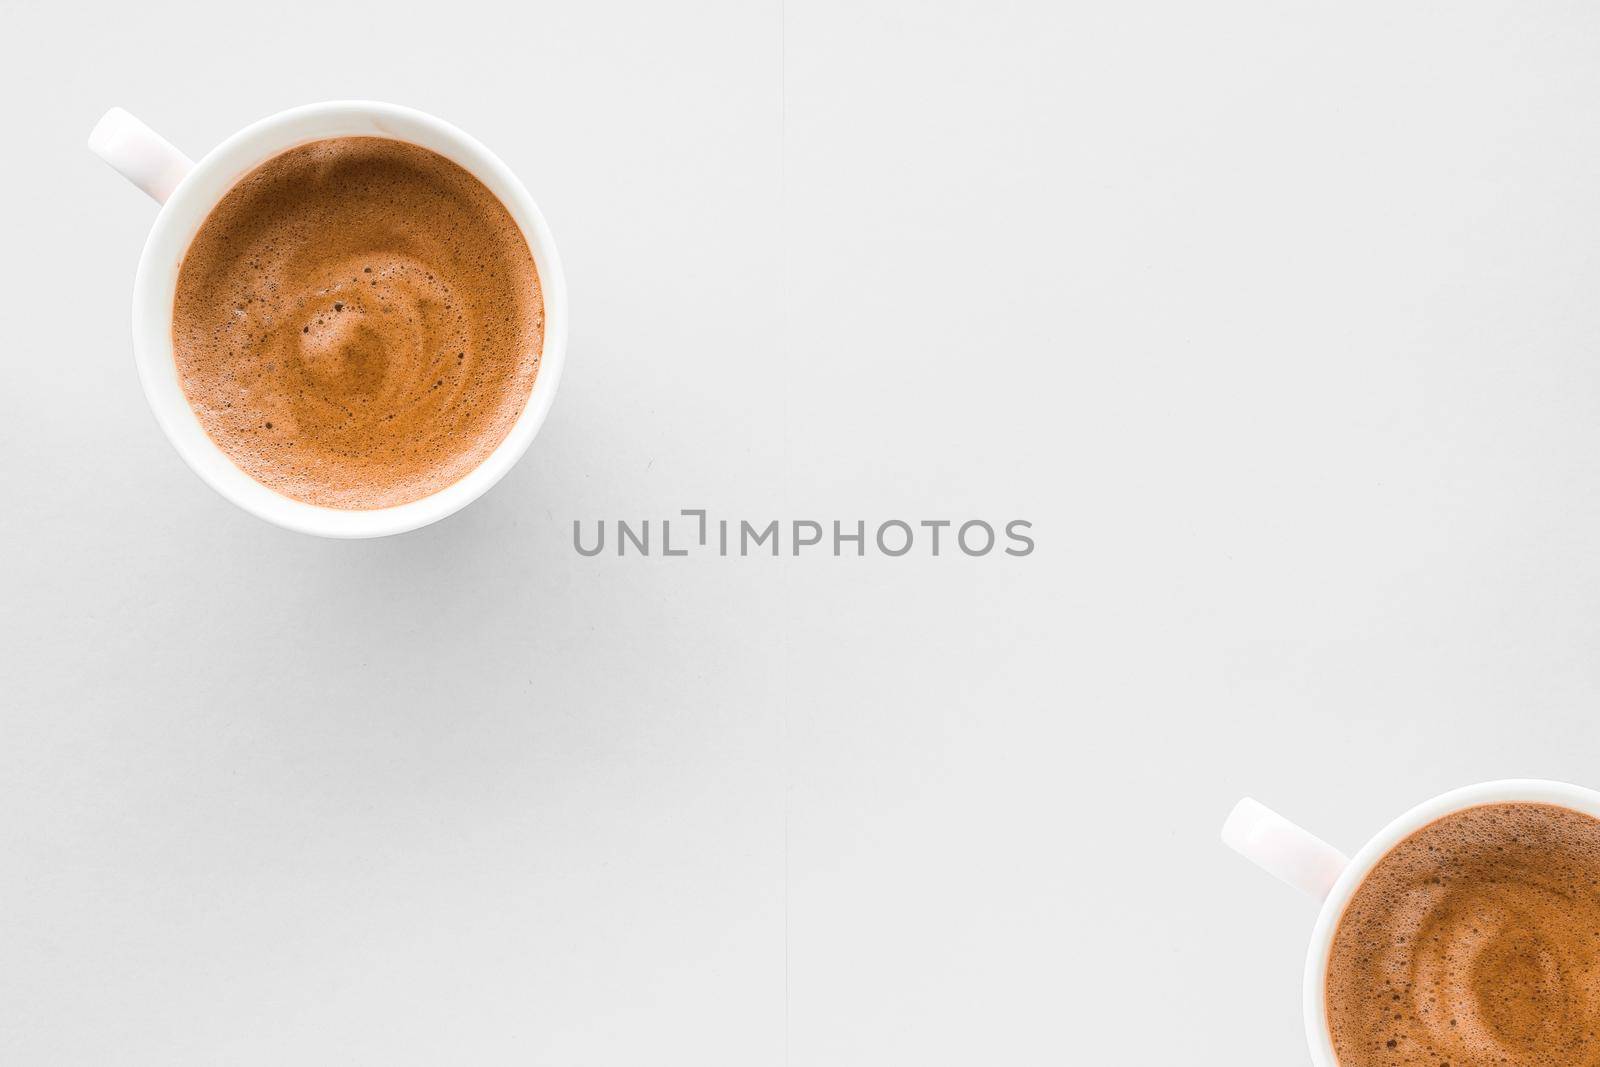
[1278, 321]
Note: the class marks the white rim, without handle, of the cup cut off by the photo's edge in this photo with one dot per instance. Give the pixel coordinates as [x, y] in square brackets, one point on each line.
[1503, 791]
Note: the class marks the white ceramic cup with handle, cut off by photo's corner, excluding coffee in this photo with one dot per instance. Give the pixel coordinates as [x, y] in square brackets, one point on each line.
[1311, 865]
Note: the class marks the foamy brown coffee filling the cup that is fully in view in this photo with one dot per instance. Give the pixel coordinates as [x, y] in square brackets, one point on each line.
[358, 324]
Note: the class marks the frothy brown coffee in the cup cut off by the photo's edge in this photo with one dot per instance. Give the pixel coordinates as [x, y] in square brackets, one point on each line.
[1476, 941]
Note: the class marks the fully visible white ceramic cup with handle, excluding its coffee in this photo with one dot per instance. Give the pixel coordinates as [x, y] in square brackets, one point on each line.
[188, 193]
